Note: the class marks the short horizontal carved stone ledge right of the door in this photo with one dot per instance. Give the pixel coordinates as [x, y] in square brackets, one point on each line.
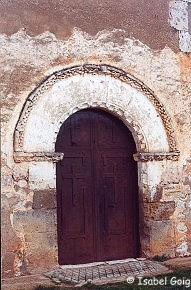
[158, 156]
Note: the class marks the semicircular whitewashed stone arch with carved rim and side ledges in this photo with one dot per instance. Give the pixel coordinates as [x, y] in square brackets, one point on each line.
[102, 86]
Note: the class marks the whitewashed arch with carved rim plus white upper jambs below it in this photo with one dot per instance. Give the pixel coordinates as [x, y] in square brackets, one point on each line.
[120, 94]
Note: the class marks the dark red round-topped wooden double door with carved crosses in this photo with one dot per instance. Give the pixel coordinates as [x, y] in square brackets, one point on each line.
[97, 199]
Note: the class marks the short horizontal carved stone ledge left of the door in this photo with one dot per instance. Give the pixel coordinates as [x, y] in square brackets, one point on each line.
[38, 156]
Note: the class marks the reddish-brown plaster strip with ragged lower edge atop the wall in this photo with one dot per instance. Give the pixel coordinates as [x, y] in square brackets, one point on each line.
[142, 19]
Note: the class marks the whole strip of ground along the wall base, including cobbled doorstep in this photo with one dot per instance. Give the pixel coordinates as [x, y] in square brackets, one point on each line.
[99, 273]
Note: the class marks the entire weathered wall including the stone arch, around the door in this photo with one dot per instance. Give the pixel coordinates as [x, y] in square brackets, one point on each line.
[130, 58]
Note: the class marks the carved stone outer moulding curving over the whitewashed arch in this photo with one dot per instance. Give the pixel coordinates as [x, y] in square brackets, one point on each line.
[93, 69]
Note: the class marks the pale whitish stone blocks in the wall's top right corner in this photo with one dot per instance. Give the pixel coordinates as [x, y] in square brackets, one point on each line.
[179, 19]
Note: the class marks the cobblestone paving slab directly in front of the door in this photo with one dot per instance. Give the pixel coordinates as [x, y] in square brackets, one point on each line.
[107, 271]
